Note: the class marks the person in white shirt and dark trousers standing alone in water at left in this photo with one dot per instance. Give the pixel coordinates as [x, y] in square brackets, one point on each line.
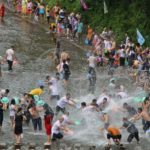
[10, 58]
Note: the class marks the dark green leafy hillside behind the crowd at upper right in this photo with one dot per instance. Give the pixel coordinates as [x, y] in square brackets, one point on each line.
[123, 15]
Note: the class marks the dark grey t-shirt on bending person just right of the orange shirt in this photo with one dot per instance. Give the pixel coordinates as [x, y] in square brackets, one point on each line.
[131, 128]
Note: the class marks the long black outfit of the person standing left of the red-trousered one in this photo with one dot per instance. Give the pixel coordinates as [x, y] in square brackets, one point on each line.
[18, 124]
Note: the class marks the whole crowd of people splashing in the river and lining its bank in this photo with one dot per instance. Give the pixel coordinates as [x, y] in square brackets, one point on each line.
[103, 52]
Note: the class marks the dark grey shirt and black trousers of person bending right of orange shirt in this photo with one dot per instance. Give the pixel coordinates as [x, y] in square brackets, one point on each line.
[131, 128]
